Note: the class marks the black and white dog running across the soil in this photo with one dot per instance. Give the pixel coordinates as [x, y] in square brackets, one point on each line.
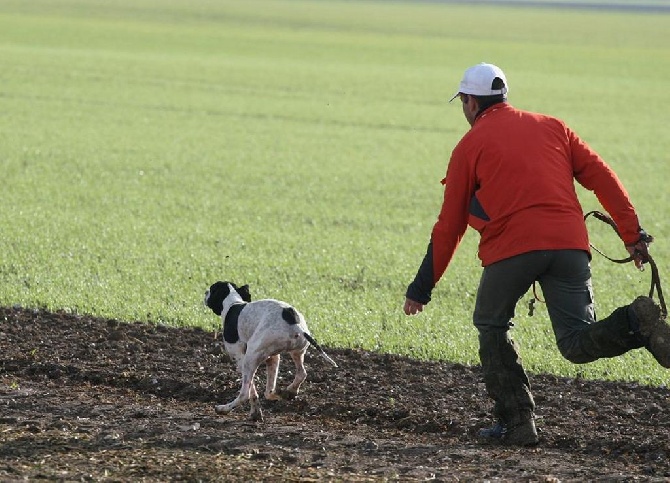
[257, 332]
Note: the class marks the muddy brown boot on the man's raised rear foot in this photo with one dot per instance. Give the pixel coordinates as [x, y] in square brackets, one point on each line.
[652, 328]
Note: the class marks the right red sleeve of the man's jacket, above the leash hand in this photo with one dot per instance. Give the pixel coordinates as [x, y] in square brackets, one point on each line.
[594, 174]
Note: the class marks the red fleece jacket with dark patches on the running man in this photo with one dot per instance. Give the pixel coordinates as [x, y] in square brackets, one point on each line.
[511, 178]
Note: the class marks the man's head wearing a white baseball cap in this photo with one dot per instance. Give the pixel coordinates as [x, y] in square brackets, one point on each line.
[482, 86]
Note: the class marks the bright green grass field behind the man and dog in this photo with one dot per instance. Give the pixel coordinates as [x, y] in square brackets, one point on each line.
[152, 147]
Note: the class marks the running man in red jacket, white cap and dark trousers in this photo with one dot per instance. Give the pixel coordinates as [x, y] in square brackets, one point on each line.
[511, 177]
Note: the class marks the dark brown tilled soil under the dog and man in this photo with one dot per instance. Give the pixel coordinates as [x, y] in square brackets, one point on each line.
[97, 400]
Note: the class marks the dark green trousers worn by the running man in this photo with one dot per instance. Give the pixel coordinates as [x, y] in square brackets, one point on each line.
[565, 279]
